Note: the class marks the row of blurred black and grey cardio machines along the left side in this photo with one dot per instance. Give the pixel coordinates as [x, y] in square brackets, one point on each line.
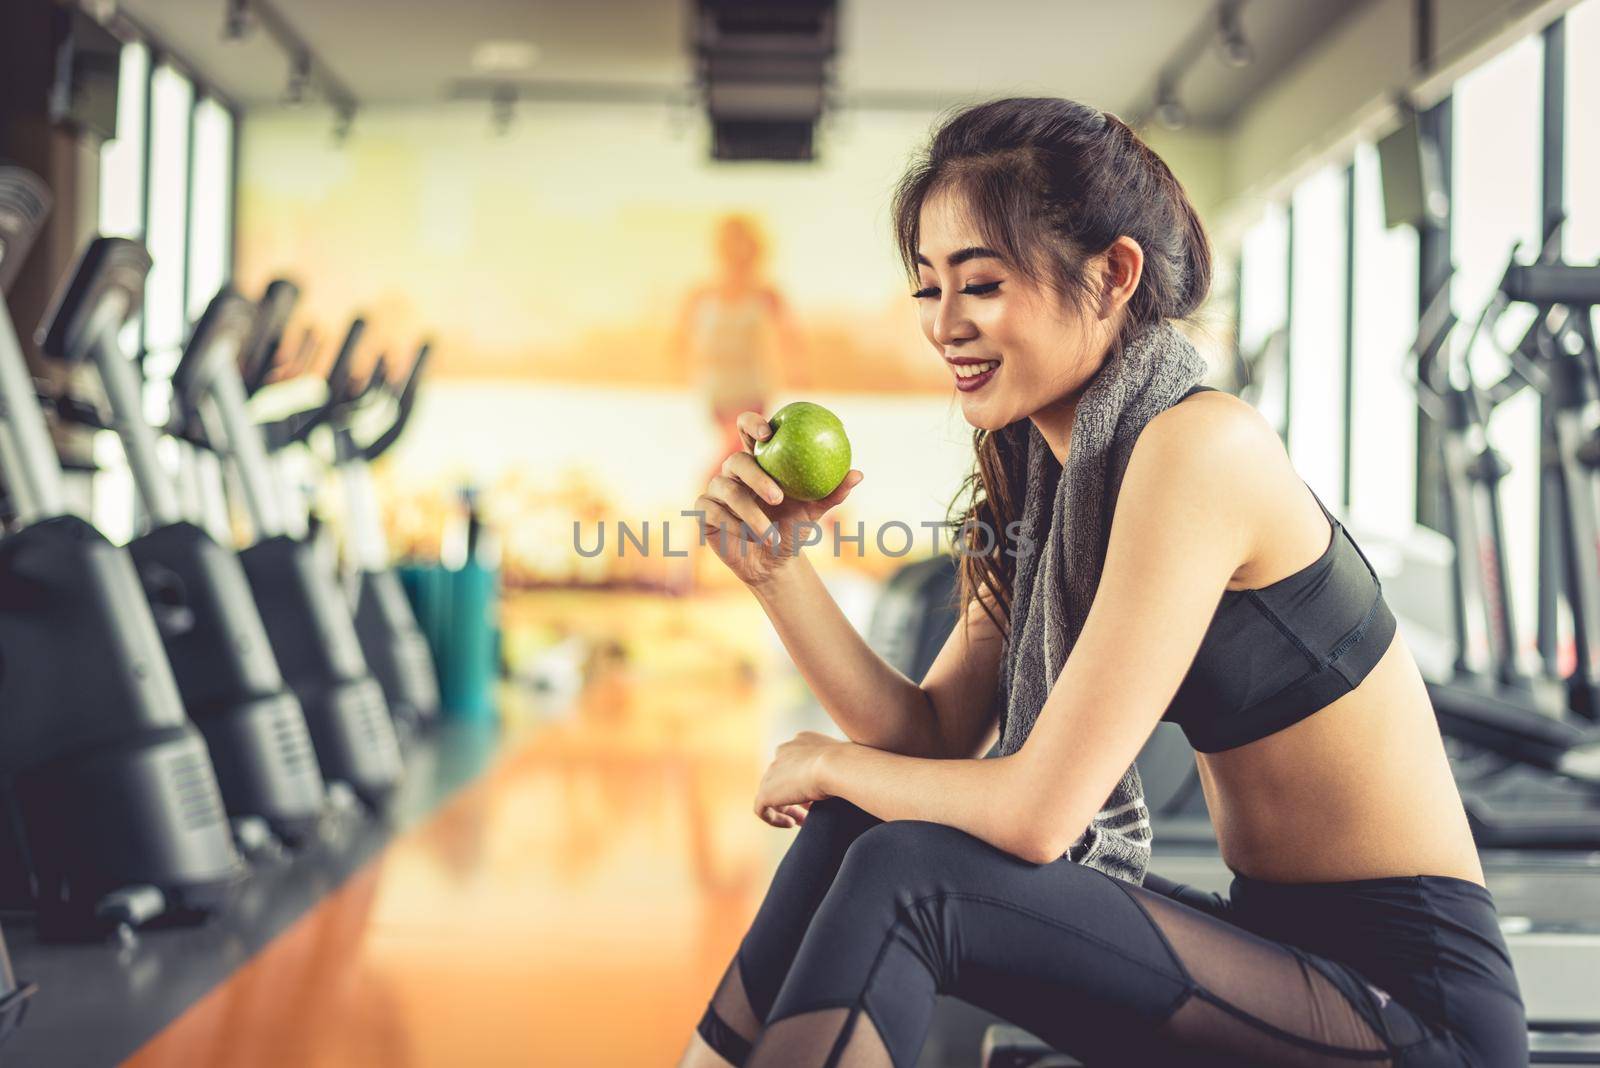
[222, 685]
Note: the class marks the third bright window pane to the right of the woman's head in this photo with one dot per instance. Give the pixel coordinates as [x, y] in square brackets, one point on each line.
[1383, 452]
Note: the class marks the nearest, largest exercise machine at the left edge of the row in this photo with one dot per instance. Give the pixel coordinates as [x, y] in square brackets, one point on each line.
[113, 815]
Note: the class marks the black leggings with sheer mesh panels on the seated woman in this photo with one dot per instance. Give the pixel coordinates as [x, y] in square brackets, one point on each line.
[866, 922]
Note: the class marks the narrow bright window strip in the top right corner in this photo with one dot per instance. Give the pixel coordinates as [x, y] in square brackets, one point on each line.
[1583, 135]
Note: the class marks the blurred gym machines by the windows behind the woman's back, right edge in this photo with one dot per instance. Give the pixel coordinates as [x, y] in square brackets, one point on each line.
[1527, 741]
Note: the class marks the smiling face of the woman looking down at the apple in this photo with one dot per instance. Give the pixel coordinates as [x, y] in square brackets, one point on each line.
[1014, 349]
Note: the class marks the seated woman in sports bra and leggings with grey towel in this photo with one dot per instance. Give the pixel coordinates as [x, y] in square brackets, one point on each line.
[1052, 249]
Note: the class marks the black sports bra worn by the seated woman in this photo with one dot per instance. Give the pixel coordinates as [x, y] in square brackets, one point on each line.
[1278, 655]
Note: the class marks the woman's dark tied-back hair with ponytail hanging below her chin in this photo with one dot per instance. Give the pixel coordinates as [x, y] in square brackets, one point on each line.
[1049, 185]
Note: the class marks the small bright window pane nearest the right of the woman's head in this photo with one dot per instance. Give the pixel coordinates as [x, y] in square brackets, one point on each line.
[1263, 314]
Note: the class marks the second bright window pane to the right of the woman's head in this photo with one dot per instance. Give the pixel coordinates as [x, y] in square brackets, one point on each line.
[1318, 333]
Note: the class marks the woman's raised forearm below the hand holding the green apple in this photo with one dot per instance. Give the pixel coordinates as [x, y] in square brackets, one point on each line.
[870, 701]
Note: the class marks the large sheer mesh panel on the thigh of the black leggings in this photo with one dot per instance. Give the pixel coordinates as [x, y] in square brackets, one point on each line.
[1258, 1000]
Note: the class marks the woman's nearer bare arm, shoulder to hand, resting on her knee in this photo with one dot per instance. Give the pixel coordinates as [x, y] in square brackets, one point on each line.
[1185, 524]
